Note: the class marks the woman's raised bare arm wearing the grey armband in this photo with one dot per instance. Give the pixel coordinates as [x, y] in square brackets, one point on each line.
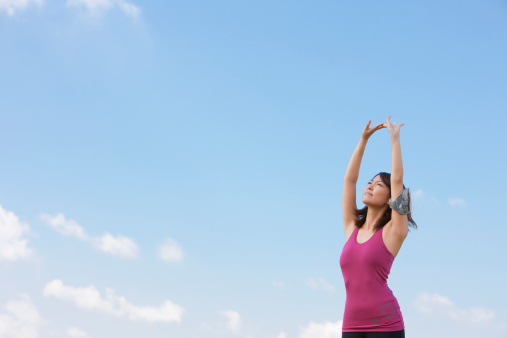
[399, 221]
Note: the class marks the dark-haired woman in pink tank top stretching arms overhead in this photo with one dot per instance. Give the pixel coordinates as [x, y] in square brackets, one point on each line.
[373, 238]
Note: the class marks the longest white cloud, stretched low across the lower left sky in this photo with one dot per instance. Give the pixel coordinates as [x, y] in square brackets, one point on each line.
[91, 299]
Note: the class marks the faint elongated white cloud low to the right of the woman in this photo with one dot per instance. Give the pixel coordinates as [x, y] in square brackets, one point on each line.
[437, 304]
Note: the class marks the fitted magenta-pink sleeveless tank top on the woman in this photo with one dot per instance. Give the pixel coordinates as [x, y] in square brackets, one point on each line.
[370, 304]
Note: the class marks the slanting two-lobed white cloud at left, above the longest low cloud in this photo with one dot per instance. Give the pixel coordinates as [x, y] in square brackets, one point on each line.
[119, 246]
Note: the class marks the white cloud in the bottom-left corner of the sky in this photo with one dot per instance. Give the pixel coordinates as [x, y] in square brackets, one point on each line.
[22, 319]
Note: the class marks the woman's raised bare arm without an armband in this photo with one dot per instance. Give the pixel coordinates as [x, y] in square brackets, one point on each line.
[352, 174]
